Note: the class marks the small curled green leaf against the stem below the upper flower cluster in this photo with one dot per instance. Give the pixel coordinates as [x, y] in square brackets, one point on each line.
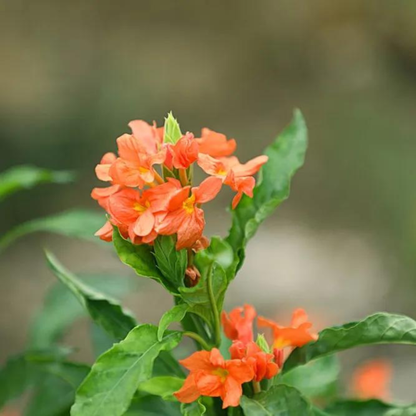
[198, 297]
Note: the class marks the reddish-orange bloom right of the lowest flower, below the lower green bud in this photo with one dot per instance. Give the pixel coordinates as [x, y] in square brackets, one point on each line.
[261, 362]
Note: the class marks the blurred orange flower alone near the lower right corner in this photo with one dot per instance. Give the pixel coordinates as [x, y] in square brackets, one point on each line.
[371, 380]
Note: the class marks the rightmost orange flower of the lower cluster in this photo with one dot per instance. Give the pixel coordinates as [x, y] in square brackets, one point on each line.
[296, 335]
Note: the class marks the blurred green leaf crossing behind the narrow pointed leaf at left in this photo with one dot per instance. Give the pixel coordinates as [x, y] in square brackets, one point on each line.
[61, 308]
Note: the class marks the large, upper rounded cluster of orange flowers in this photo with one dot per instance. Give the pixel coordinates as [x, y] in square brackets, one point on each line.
[151, 191]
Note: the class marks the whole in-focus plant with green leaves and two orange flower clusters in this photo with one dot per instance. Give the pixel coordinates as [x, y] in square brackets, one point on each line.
[155, 220]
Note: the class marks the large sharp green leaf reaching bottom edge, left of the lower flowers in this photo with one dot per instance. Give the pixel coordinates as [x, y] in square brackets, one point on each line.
[114, 378]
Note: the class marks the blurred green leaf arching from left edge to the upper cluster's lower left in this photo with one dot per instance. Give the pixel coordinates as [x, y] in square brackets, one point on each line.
[76, 223]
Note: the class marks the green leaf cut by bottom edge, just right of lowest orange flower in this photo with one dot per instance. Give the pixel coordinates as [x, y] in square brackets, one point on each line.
[278, 401]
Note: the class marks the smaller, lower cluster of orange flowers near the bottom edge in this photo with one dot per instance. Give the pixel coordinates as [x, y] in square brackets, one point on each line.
[211, 375]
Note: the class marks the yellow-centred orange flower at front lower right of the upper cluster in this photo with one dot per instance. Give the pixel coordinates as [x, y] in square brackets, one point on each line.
[184, 216]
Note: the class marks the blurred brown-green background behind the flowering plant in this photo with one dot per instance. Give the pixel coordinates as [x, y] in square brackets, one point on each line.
[73, 74]
